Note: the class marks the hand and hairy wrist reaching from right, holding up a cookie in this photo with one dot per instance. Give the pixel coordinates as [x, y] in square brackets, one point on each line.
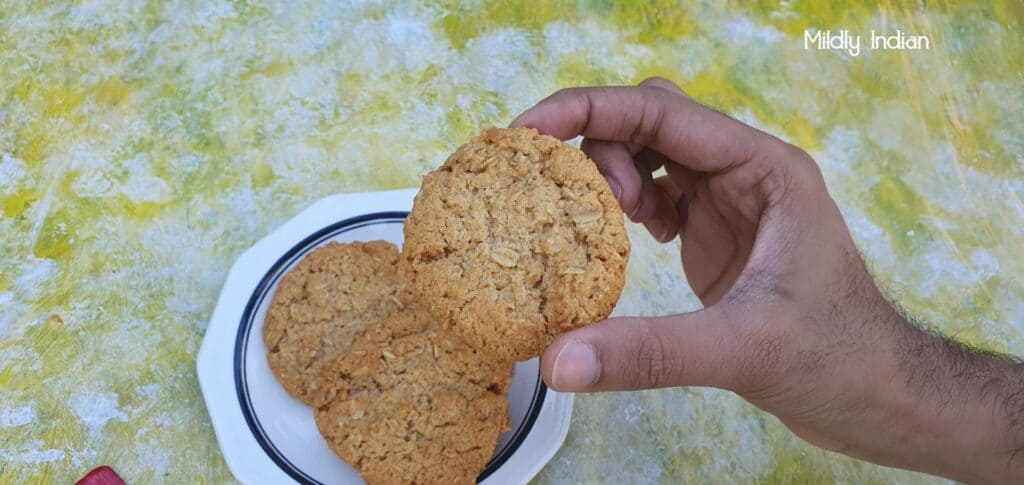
[793, 322]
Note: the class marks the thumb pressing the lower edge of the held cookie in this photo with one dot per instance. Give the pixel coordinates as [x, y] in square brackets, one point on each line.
[622, 355]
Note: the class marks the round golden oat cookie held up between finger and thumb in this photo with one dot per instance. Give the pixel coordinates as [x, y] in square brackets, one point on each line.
[515, 240]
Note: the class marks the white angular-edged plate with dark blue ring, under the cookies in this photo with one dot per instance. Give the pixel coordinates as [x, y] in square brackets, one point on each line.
[268, 436]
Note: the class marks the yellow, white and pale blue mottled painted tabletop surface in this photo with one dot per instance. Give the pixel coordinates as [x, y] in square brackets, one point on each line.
[144, 147]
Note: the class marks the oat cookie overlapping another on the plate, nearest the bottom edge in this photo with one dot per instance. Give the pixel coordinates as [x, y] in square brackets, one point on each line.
[413, 404]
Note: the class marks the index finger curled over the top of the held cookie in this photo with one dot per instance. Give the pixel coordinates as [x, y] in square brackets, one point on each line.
[682, 129]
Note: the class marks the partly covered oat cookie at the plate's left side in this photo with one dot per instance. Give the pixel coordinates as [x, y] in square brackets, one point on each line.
[336, 291]
